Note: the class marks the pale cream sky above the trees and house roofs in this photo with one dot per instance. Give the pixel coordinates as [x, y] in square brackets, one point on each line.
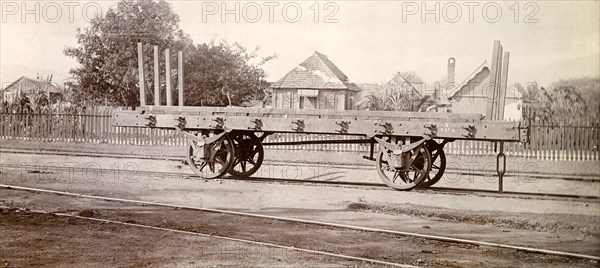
[369, 41]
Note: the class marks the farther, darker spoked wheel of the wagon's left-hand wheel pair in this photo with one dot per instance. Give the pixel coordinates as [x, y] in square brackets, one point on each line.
[249, 154]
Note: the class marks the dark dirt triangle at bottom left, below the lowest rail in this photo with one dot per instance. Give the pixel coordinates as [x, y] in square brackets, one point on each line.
[37, 240]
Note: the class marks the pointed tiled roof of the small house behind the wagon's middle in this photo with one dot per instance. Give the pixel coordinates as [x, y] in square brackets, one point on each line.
[316, 72]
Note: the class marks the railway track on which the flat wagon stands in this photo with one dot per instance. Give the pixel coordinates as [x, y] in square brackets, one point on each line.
[380, 186]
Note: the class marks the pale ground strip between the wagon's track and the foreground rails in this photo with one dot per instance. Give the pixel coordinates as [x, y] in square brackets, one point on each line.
[331, 204]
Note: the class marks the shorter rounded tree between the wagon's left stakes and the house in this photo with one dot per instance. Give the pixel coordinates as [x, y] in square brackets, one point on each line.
[223, 74]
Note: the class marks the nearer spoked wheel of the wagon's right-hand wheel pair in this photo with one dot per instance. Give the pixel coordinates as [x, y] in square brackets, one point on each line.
[404, 179]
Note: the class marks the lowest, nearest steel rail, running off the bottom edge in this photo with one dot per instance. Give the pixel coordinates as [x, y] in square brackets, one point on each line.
[228, 238]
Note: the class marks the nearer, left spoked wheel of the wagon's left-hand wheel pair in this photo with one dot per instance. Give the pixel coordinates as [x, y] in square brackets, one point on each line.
[211, 160]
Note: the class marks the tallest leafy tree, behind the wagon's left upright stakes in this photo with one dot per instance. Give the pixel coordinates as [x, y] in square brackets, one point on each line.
[107, 50]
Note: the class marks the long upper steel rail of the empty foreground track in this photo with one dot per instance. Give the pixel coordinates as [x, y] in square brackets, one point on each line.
[321, 223]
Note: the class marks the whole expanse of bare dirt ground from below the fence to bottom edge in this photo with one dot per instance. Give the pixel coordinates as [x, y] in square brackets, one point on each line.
[555, 224]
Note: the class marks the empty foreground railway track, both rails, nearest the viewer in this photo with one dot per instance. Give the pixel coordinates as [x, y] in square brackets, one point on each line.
[294, 220]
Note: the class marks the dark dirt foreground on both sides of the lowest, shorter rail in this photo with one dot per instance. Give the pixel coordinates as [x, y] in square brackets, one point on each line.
[31, 239]
